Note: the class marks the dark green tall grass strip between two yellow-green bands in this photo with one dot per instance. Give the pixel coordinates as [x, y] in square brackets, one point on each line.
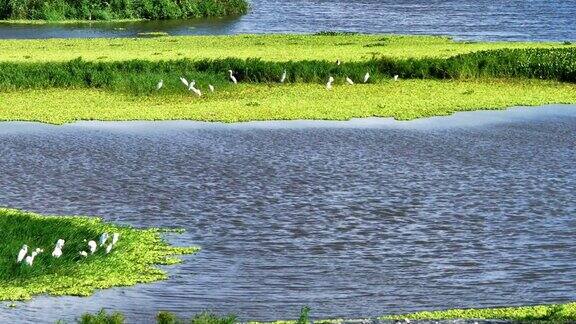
[140, 77]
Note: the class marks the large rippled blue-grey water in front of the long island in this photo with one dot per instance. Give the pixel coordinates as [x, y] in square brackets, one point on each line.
[355, 219]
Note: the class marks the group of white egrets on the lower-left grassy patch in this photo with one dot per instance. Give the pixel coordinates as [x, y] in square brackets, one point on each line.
[105, 242]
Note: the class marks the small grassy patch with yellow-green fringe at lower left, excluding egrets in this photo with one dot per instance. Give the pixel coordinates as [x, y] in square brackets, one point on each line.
[133, 260]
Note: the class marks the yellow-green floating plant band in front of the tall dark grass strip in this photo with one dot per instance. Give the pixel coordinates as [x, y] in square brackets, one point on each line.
[406, 99]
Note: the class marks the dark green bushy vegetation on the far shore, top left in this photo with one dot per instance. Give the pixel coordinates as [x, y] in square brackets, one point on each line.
[111, 10]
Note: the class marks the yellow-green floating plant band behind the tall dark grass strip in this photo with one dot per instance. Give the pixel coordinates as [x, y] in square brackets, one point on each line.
[267, 47]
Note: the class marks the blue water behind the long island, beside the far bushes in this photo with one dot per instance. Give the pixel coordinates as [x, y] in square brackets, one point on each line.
[552, 20]
